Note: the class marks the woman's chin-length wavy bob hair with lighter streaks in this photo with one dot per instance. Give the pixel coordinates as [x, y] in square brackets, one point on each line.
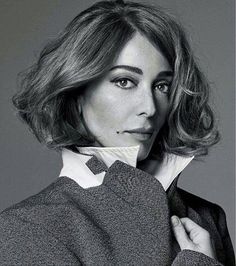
[86, 49]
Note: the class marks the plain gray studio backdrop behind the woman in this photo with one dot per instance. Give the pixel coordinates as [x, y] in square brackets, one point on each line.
[26, 25]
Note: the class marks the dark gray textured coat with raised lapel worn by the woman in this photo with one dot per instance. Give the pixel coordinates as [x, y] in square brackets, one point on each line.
[124, 221]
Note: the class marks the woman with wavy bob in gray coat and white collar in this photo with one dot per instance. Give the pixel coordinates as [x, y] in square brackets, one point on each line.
[119, 92]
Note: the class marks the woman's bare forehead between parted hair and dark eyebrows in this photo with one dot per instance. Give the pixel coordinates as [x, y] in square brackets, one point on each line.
[141, 53]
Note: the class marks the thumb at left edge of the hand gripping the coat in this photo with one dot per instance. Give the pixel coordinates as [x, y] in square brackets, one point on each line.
[180, 233]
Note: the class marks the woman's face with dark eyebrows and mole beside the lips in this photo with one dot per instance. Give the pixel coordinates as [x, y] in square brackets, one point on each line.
[129, 104]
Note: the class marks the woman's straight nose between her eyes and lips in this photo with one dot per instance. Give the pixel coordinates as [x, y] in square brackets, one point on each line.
[147, 103]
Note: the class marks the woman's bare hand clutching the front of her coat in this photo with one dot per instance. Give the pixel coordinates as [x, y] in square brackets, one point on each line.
[191, 236]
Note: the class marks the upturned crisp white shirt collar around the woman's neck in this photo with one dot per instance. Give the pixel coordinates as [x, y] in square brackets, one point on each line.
[74, 164]
